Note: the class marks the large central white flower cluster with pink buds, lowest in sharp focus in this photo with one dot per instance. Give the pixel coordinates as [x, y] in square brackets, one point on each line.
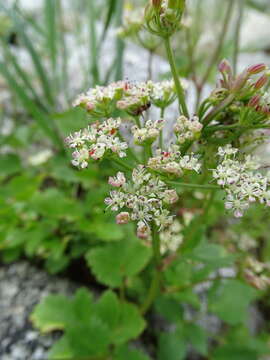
[143, 199]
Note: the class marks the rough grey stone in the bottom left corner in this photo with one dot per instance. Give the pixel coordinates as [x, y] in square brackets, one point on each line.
[22, 286]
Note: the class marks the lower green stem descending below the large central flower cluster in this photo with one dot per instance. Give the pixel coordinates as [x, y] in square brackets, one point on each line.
[155, 284]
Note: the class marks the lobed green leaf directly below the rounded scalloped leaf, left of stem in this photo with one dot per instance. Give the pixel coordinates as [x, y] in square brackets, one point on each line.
[123, 319]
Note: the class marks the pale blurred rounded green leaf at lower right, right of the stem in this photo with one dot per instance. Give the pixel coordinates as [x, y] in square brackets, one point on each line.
[230, 300]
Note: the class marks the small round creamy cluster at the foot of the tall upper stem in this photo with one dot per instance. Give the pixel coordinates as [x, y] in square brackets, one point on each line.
[187, 129]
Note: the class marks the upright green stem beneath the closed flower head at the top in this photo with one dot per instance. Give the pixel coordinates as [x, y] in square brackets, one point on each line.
[179, 89]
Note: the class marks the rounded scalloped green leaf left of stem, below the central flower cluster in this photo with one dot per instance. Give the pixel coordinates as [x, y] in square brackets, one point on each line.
[113, 262]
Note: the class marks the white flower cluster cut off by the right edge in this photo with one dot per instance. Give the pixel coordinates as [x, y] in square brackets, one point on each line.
[242, 183]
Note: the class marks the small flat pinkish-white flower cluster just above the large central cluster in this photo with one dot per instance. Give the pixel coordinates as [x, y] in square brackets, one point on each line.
[171, 161]
